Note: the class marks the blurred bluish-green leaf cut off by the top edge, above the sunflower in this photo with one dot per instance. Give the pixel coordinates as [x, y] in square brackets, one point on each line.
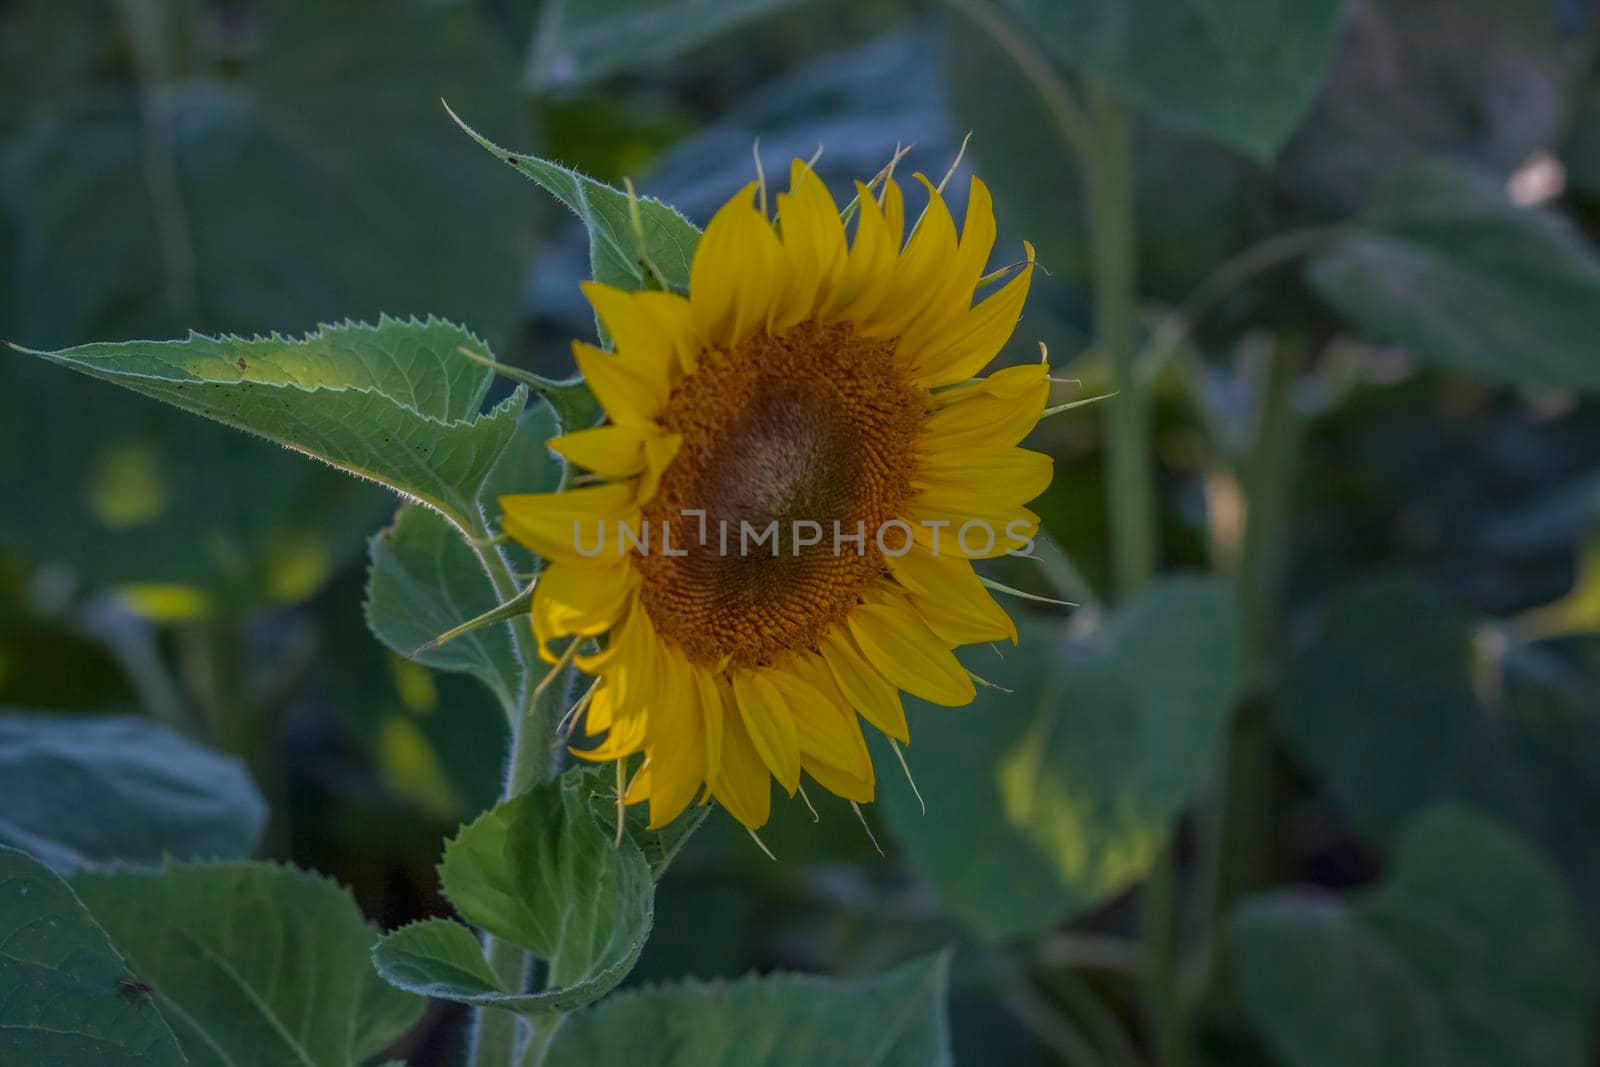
[583, 41]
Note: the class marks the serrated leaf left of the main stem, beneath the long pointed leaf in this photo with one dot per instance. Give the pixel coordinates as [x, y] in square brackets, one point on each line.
[425, 581]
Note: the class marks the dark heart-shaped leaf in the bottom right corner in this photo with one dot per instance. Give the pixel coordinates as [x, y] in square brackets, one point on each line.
[1466, 957]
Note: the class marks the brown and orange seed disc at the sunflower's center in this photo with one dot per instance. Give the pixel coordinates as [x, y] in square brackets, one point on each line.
[793, 447]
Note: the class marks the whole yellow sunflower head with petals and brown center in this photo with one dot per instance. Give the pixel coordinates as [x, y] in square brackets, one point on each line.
[818, 398]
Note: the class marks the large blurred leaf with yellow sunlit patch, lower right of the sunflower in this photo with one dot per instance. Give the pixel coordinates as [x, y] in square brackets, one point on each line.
[1074, 780]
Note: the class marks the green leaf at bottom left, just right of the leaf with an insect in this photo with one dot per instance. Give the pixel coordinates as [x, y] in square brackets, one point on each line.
[254, 964]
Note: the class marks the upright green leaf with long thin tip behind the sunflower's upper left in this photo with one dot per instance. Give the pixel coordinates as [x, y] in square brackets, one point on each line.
[617, 255]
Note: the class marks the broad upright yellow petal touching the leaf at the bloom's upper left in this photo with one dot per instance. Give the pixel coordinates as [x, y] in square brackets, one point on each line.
[738, 273]
